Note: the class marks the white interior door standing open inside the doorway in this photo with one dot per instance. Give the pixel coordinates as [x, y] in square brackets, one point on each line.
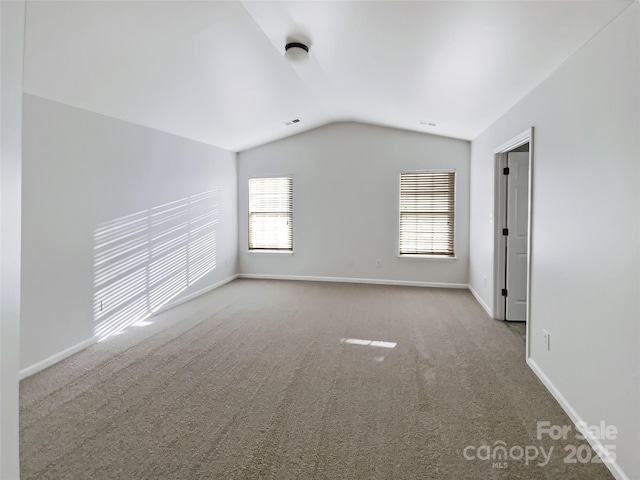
[517, 225]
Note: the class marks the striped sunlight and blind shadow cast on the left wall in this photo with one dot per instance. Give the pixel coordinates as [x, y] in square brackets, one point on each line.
[145, 259]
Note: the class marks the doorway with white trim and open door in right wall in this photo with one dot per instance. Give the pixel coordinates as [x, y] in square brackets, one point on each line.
[512, 255]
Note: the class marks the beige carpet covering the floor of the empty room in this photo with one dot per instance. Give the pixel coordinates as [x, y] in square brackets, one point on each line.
[254, 382]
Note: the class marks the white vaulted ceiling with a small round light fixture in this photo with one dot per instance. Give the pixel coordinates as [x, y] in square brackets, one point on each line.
[213, 71]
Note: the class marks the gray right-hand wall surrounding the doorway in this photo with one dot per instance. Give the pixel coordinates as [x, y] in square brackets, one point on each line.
[585, 228]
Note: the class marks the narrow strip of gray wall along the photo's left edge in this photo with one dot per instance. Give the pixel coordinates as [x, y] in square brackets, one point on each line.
[12, 16]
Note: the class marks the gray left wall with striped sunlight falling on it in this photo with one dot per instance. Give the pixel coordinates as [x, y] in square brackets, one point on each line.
[86, 174]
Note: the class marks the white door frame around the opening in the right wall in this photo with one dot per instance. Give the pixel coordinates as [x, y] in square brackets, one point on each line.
[499, 204]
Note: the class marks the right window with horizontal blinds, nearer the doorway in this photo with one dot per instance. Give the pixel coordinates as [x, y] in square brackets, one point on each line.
[427, 212]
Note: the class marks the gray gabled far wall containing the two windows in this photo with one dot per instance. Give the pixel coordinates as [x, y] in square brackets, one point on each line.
[346, 195]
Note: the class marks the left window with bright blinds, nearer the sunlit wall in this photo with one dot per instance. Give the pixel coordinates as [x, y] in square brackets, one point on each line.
[271, 213]
